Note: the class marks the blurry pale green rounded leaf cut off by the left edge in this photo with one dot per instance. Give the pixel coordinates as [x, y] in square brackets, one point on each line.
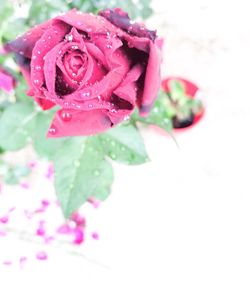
[16, 125]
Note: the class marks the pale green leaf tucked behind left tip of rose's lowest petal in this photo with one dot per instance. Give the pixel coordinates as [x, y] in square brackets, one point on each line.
[44, 146]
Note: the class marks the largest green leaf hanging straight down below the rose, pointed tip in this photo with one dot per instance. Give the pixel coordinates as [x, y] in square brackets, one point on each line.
[81, 171]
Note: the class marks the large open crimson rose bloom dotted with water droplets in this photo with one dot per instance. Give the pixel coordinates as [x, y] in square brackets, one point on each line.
[96, 68]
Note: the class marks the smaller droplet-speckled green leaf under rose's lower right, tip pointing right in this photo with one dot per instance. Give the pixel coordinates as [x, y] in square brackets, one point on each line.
[124, 144]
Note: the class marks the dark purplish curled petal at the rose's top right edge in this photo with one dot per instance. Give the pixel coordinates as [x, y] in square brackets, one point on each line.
[121, 19]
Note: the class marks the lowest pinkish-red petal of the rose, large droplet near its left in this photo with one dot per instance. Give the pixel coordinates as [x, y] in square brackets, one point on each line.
[81, 123]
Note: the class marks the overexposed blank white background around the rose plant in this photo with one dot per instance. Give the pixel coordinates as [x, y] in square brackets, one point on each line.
[179, 224]
